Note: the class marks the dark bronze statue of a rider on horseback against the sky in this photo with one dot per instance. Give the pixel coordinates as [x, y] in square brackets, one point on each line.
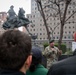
[14, 21]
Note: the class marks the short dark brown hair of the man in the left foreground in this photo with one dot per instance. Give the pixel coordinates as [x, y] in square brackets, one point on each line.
[15, 47]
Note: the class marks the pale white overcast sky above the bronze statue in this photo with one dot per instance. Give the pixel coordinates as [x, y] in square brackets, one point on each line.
[5, 5]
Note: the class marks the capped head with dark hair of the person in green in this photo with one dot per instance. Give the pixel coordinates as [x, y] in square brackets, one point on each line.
[36, 58]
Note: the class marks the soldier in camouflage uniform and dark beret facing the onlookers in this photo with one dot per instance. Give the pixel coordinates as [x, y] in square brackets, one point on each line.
[51, 52]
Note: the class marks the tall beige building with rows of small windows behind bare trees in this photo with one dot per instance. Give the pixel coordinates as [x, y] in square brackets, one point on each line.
[37, 27]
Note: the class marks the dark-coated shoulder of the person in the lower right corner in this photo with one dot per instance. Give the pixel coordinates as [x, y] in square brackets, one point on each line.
[64, 67]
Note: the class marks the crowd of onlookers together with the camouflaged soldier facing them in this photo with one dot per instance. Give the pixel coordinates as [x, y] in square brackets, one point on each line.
[19, 57]
